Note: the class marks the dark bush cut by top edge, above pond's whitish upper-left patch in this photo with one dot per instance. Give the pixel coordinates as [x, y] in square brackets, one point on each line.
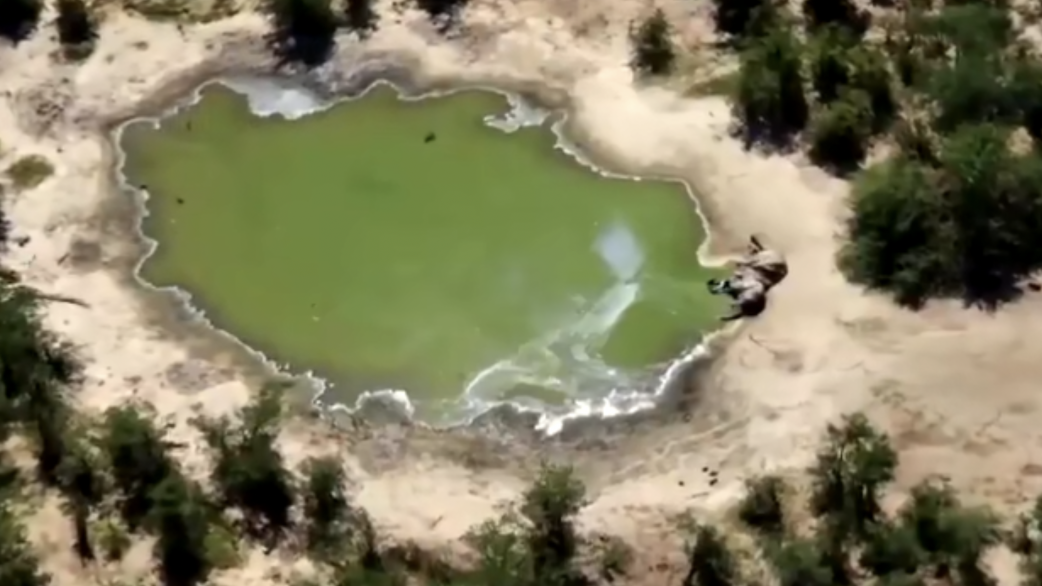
[303, 31]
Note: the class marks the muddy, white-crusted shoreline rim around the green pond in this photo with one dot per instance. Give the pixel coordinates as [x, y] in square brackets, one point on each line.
[332, 87]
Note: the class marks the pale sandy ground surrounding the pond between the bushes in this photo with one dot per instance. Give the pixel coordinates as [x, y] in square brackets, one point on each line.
[956, 387]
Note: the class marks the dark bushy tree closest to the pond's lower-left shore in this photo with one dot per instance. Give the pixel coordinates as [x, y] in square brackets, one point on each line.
[249, 471]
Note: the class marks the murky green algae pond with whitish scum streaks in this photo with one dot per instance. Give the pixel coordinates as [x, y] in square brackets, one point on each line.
[407, 245]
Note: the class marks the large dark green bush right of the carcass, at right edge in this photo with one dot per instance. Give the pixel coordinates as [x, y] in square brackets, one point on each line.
[966, 228]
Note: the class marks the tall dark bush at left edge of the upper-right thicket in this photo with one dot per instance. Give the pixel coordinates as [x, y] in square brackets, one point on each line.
[771, 104]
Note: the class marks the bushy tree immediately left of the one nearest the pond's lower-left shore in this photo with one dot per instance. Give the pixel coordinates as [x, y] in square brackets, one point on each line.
[138, 454]
